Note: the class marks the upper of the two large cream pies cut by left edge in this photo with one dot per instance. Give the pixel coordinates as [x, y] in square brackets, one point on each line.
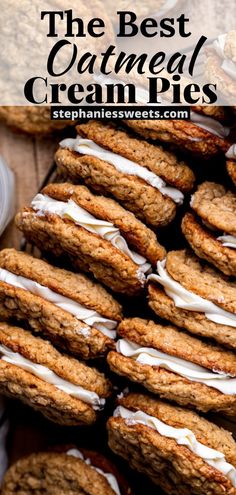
[71, 310]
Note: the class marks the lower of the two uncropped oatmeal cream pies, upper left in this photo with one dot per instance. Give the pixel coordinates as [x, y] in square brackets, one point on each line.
[98, 235]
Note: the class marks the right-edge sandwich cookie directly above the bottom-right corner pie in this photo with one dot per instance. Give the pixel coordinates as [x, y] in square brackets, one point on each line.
[176, 366]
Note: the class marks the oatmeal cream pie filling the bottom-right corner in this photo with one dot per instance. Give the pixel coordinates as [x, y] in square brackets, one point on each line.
[179, 450]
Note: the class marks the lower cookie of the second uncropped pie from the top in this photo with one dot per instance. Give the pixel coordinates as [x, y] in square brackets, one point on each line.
[87, 251]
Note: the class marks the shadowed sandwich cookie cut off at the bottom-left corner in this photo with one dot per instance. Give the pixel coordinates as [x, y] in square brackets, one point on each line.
[68, 471]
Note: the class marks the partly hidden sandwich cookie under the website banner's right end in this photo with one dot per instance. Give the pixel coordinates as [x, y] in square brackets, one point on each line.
[201, 134]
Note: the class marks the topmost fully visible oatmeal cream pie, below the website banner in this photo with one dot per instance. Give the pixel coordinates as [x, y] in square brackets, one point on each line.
[146, 179]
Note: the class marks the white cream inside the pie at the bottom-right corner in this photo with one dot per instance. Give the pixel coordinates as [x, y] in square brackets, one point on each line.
[183, 436]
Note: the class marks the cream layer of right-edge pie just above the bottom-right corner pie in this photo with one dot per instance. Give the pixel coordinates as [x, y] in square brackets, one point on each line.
[152, 357]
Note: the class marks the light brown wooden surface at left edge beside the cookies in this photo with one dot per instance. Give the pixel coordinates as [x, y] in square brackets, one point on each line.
[29, 158]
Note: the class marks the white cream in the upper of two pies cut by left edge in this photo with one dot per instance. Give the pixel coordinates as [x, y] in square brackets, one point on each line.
[88, 316]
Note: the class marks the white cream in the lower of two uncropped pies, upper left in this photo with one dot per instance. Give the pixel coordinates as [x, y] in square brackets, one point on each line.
[44, 204]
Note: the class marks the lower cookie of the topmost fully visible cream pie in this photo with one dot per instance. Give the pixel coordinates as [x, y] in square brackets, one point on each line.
[144, 200]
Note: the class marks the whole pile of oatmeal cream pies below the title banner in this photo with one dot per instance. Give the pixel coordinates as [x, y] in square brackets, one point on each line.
[109, 304]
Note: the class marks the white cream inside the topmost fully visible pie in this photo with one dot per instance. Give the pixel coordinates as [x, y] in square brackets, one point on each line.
[123, 165]
